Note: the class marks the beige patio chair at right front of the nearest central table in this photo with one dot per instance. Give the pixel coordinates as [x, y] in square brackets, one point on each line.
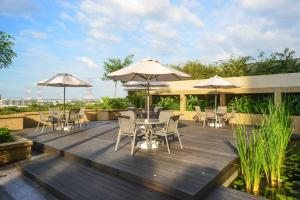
[170, 129]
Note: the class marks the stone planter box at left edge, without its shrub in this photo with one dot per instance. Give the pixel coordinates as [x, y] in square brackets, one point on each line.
[15, 151]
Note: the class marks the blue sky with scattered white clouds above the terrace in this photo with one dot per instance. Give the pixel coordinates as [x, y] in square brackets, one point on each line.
[77, 36]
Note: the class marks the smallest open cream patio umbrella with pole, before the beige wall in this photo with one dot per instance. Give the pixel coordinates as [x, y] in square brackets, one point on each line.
[215, 83]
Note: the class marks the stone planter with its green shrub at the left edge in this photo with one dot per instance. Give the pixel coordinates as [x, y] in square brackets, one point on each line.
[13, 148]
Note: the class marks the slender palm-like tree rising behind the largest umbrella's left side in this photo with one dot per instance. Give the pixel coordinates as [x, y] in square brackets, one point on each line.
[114, 64]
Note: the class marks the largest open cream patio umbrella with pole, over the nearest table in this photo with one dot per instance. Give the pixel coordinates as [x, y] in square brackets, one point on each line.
[148, 70]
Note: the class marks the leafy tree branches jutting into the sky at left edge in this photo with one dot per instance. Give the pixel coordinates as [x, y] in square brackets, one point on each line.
[6, 52]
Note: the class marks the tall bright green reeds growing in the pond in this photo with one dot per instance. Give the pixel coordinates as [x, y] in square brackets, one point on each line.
[263, 150]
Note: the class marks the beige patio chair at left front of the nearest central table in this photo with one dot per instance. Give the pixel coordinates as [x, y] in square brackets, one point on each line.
[127, 128]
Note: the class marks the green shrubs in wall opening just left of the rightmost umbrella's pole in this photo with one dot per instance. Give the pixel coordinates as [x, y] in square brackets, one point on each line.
[193, 100]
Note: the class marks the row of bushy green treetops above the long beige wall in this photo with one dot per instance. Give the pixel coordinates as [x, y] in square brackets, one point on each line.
[275, 63]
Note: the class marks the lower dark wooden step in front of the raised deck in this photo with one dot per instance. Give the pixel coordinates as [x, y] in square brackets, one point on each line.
[68, 179]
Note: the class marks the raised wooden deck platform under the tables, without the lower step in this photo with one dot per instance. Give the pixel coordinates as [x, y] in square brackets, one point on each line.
[190, 173]
